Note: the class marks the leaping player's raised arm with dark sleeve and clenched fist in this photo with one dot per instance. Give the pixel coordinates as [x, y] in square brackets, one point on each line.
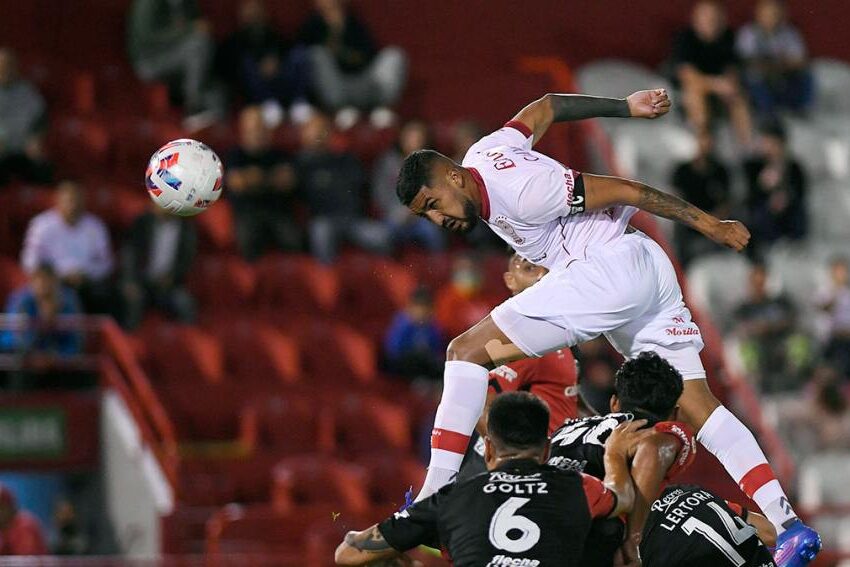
[541, 113]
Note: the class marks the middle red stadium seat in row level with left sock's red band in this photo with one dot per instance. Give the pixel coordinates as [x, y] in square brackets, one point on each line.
[288, 424]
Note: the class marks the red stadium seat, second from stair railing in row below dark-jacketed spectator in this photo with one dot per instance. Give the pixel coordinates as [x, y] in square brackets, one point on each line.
[258, 355]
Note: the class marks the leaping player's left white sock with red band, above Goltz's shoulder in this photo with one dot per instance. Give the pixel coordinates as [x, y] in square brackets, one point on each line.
[464, 394]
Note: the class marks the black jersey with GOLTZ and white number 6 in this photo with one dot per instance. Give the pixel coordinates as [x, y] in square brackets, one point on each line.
[522, 513]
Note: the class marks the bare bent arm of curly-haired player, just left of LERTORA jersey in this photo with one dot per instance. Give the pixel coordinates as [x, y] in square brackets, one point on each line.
[654, 457]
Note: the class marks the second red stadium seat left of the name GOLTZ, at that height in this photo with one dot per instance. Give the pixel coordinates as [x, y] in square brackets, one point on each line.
[300, 482]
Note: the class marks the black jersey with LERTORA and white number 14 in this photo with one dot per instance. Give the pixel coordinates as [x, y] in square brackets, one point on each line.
[689, 526]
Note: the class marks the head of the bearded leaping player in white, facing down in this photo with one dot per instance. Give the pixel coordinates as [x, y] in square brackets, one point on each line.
[435, 187]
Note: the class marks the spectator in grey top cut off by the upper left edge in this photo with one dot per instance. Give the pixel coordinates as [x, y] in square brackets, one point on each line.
[22, 120]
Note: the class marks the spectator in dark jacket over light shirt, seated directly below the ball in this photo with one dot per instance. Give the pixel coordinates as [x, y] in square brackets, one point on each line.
[156, 258]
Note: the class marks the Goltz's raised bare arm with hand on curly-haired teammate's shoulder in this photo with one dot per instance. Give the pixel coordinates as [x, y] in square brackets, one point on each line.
[619, 447]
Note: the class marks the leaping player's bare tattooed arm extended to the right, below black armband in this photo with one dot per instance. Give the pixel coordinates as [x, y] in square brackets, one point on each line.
[603, 191]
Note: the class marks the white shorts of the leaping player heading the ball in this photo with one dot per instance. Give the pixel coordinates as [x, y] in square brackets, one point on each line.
[626, 290]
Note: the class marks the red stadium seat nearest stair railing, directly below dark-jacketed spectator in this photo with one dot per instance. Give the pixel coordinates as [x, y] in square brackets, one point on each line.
[183, 352]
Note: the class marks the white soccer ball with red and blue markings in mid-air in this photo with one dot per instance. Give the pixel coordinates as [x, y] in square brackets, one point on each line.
[184, 177]
